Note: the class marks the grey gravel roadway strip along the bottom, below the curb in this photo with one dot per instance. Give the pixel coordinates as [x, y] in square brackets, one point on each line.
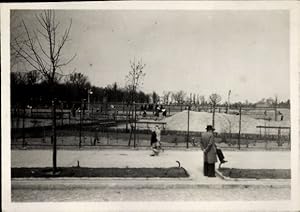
[114, 194]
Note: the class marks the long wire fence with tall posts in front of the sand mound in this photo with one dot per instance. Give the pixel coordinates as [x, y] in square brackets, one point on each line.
[122, 125]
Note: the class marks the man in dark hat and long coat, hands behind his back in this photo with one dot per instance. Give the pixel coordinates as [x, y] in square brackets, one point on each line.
[209, 152]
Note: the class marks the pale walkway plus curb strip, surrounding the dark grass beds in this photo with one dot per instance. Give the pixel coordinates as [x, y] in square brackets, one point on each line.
[191, 160]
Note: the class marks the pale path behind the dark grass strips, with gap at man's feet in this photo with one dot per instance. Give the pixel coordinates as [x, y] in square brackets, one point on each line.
[191, 160]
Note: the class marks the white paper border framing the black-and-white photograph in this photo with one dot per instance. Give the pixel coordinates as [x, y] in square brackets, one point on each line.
[293, 204]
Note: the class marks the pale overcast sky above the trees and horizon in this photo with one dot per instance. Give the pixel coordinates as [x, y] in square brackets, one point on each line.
[201, 52]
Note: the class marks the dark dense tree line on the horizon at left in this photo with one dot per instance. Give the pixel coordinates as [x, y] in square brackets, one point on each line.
[29, 88]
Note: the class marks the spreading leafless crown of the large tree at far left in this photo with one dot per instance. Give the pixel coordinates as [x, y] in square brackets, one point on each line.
[41, 48]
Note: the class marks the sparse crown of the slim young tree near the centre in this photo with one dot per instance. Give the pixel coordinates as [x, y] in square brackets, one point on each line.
[135, 77]
